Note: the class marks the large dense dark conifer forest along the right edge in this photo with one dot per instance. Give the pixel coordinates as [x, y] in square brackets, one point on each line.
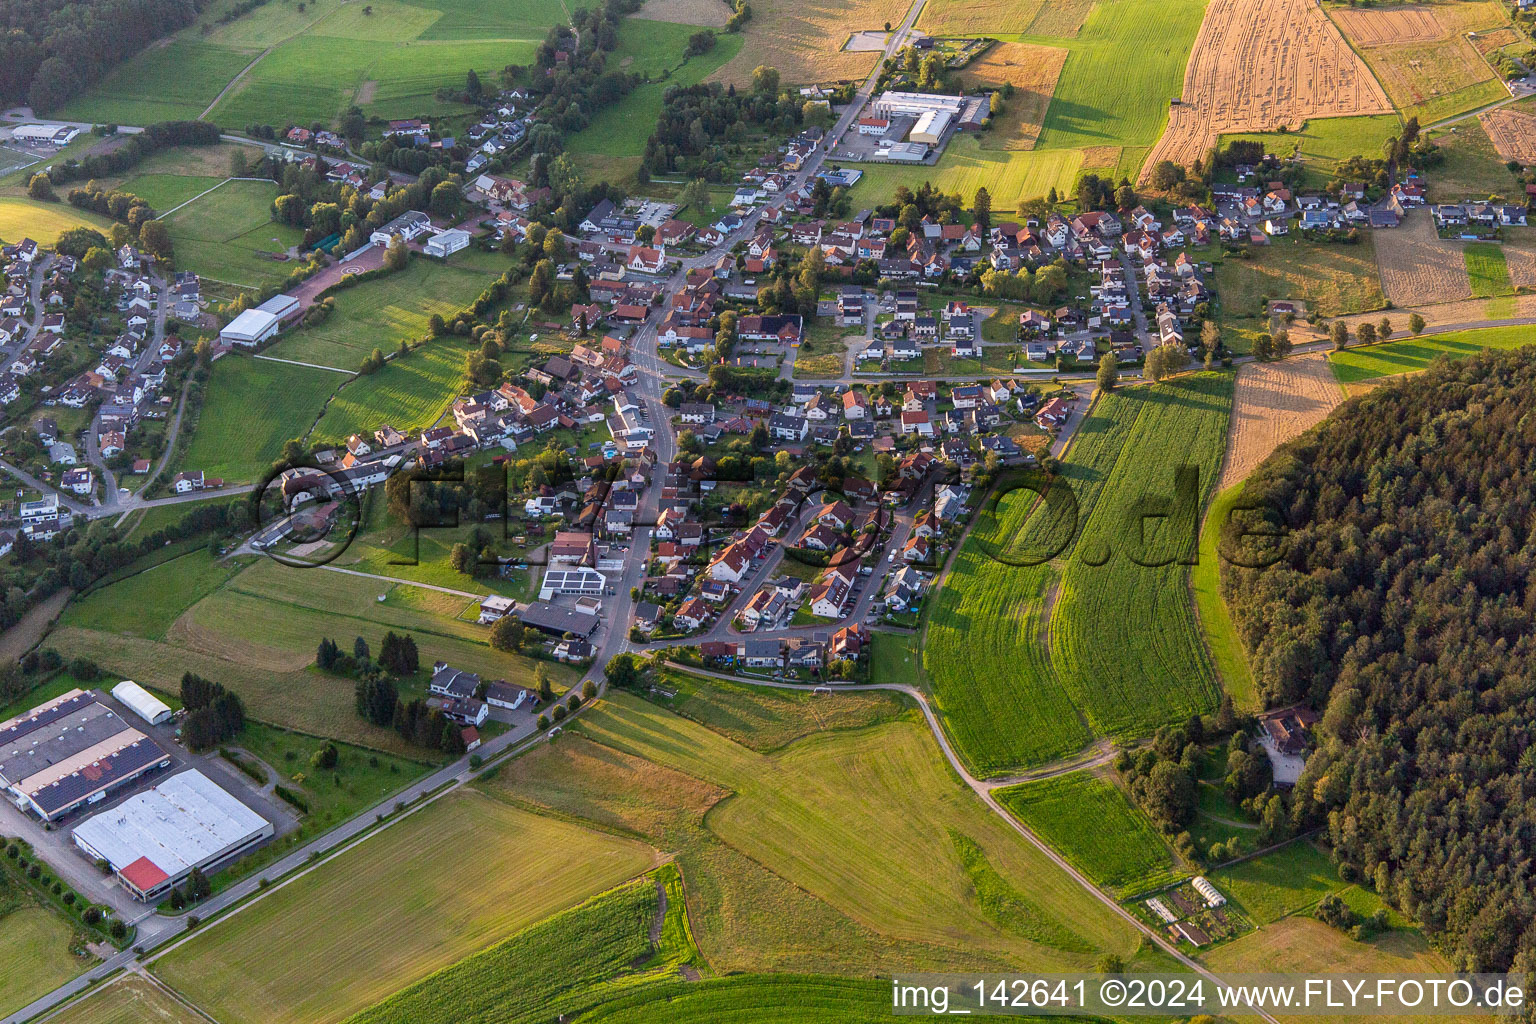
[1402, 607]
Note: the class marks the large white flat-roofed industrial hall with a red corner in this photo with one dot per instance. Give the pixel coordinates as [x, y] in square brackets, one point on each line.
[156, 839]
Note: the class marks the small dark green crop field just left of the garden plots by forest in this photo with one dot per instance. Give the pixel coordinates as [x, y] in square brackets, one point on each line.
[1122, 851]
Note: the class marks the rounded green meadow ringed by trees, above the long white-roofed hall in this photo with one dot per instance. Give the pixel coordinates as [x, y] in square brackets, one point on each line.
[230, 236]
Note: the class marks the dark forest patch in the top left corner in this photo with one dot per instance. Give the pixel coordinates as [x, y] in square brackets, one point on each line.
[53, 50]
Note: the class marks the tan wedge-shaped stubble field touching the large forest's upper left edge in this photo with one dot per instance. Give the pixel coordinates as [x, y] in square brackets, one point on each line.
[1273, 405]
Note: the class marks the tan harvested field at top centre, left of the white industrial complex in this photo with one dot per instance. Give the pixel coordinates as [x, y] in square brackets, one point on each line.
[804, 39]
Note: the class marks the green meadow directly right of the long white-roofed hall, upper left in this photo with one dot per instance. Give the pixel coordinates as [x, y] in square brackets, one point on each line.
[383, 312]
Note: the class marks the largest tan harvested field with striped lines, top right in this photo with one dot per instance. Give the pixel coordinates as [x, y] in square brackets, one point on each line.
[1259, 68]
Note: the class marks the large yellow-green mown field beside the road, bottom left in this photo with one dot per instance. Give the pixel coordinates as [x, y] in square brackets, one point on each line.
[323, 946]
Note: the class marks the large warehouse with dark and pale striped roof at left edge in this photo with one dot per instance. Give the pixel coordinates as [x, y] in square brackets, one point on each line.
[71, 751]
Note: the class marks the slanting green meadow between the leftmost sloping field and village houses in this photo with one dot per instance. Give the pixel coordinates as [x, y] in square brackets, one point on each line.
[409, 394]
